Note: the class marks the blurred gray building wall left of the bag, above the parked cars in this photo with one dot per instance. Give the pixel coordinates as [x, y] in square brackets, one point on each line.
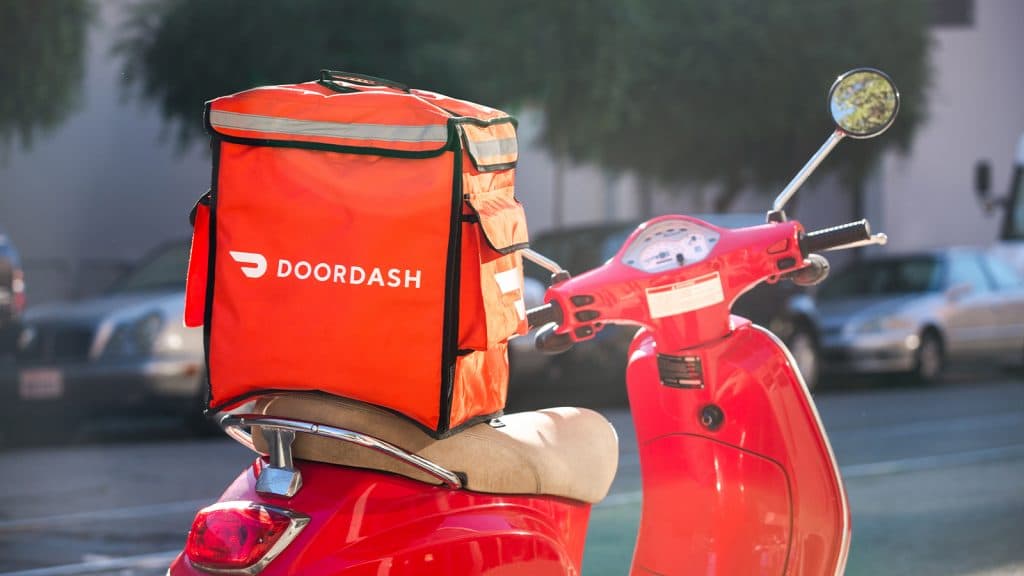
[102, 190]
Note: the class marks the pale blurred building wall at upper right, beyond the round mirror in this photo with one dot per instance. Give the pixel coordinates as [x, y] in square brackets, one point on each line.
[977, 111]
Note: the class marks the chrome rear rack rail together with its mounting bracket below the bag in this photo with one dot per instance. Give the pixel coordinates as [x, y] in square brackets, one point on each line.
[281, 478]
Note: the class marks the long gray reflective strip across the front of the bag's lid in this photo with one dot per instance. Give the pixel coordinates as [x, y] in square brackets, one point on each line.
[292, 128]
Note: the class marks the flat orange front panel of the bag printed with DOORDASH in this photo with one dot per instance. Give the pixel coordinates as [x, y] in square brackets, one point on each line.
[286, 317]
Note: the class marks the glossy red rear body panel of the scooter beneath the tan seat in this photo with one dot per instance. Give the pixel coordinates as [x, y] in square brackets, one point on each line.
[373, 524]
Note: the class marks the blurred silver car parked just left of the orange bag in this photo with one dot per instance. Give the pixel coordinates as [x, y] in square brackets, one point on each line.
[124, 353]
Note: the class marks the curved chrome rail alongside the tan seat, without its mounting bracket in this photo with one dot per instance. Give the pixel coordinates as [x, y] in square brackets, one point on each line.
[234, 424]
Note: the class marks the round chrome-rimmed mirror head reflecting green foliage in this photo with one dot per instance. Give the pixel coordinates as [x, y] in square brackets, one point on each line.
[864, 103]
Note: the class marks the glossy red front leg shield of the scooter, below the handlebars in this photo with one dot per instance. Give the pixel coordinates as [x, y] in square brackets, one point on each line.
[756, 491]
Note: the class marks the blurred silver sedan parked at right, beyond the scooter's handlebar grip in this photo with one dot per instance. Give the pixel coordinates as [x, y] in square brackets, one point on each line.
[916, 313]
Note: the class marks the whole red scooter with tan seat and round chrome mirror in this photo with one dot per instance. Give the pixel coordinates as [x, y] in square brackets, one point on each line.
[739, 477]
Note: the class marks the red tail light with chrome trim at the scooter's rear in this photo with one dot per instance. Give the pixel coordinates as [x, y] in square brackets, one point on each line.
[241, 537]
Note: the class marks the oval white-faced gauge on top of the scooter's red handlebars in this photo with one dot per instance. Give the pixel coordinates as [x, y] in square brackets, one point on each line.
[670, 244]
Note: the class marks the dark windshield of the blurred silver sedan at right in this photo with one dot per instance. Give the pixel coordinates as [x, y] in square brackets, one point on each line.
[881, 278]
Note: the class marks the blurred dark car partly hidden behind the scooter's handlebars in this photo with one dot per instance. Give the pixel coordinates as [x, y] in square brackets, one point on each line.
[593, 374]
